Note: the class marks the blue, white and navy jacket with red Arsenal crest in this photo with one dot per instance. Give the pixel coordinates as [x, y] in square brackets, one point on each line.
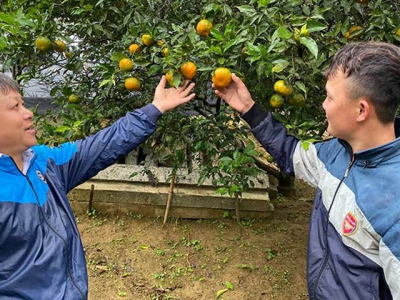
[354, 238]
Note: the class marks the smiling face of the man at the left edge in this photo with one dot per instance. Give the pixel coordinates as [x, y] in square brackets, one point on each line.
[16, 127]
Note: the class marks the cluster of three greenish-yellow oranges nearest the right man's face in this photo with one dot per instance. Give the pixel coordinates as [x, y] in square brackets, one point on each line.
[285, 90]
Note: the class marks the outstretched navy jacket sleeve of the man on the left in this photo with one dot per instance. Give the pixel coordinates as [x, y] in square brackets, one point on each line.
[95, 153]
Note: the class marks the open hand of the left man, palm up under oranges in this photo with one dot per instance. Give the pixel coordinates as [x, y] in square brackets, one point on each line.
[167, 99]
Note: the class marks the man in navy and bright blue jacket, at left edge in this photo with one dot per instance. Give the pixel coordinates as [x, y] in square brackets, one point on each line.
[41, 254]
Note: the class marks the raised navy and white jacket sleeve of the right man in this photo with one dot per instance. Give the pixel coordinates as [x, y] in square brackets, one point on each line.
[287, 150]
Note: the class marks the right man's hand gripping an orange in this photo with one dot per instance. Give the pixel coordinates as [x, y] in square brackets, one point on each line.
[236, 95]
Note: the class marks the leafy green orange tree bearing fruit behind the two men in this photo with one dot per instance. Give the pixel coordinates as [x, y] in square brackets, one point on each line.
[261, 41]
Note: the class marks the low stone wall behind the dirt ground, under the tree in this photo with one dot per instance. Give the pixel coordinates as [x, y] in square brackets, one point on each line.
[114, 190]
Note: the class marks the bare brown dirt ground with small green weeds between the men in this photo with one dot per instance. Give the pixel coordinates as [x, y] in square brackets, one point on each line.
[136, 257]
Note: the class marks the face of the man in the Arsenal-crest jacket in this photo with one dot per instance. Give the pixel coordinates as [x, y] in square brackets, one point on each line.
[341, 111]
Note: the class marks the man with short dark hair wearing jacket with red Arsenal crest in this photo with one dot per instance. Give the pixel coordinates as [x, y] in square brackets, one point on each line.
[354, 238]
